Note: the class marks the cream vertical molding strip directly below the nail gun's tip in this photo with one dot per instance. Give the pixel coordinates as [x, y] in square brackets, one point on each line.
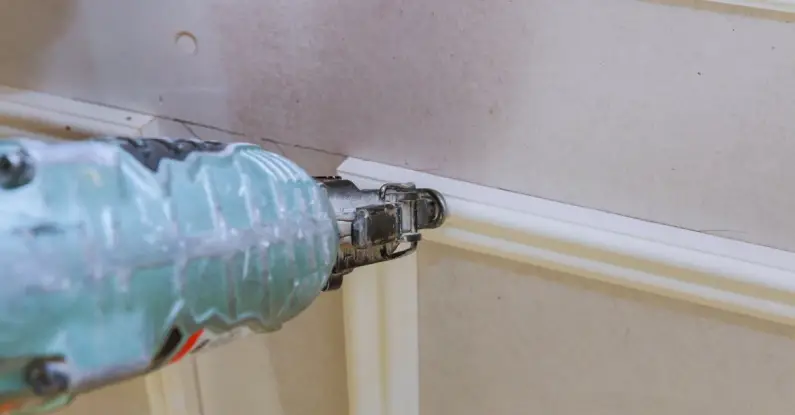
[381, 338]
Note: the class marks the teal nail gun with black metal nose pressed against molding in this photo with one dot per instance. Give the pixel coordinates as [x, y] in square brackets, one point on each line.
[120, 256]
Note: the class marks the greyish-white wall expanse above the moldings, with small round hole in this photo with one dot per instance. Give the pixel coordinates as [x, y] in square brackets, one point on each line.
[675, 111]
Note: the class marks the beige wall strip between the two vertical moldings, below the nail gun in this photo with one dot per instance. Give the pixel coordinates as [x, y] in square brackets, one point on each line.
[297, 371]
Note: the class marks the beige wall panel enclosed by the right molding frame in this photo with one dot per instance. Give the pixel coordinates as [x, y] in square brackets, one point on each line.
[502, 338]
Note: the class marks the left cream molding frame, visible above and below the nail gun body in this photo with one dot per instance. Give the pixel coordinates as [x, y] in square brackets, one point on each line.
[173, 390]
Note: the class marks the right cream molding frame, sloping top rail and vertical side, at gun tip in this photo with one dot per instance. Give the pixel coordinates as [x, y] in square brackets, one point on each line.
[380, 302]
